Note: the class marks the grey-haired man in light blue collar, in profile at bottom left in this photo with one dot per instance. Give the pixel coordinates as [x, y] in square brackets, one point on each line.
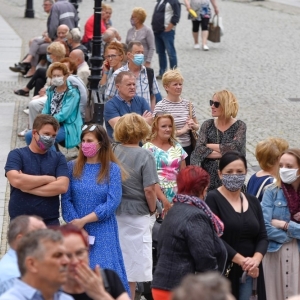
[43, 265]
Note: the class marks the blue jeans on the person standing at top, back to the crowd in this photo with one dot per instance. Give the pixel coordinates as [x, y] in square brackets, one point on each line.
[165, 41]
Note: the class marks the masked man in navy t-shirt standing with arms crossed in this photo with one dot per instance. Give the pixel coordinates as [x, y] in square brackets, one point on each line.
[37, 176]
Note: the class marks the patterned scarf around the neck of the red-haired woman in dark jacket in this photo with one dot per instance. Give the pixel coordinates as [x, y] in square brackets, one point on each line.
[192, 200]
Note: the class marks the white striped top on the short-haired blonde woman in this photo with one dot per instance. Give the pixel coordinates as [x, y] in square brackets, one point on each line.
[180, 112]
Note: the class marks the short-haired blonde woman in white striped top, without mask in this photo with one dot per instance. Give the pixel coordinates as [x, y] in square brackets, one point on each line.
[179, 108]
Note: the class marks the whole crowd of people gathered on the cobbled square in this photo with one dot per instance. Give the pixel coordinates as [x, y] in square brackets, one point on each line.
[139, 171]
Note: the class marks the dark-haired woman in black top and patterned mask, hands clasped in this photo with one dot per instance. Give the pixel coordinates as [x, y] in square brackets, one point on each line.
[244, 235]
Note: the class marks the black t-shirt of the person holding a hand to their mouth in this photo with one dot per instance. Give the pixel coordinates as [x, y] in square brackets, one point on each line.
[115, 285]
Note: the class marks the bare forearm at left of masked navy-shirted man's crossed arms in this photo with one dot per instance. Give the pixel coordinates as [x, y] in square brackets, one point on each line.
[23, 181]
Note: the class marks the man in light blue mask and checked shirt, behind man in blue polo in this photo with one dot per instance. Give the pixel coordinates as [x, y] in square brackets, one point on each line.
[146, 84]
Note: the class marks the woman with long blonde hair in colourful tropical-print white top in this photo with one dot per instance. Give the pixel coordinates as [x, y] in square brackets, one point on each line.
[169, 156]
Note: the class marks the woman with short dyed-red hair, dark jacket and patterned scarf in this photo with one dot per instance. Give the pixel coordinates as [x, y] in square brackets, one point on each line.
[188, 240]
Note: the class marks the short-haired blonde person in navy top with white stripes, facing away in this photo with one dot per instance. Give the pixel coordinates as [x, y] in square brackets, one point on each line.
[268, 153]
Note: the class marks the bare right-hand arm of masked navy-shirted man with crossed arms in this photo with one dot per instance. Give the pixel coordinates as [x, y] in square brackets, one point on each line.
[59, 186]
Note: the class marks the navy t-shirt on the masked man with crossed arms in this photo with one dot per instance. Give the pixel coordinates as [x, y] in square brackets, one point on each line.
[51, 163]
